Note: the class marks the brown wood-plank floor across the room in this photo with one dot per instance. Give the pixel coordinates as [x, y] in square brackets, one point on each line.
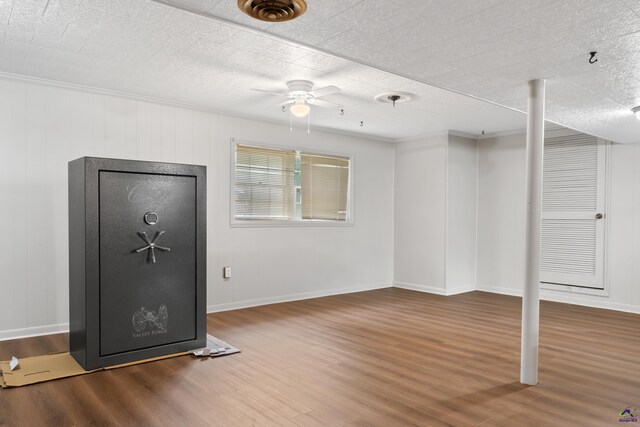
[389, 357]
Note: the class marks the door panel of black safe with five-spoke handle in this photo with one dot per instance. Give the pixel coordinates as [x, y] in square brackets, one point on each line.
[147, 260]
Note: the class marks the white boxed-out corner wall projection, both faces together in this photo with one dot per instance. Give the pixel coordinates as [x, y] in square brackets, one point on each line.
[435, 214]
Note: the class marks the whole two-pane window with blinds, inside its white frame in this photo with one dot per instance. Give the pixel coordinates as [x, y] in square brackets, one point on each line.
[278, 185]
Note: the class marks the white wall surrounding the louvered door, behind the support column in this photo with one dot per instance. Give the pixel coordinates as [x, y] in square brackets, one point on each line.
[501, 163]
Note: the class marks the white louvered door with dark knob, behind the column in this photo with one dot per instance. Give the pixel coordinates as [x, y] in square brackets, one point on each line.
[573, 216]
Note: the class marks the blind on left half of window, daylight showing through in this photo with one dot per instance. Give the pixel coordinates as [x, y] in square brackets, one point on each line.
[264, 183]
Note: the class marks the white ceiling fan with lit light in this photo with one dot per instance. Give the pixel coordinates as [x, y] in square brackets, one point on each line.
[302, 95]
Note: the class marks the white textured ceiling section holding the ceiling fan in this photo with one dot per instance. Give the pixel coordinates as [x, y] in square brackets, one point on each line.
[150, 49]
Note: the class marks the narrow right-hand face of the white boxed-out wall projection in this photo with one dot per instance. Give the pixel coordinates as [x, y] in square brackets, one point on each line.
[462, 180]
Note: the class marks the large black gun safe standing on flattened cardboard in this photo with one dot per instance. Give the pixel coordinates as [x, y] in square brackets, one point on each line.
[137, 260]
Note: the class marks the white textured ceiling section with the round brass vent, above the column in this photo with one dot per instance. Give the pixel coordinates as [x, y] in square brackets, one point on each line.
[488, 49]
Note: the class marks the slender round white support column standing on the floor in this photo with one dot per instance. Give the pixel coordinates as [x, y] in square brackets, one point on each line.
[531, 297]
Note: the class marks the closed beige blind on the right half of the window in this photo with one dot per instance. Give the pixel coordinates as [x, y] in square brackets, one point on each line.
[325, 187]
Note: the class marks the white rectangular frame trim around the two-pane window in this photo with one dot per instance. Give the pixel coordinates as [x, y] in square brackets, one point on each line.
[233, 222]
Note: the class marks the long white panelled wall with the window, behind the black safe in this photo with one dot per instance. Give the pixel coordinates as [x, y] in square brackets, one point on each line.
[43, 127]
